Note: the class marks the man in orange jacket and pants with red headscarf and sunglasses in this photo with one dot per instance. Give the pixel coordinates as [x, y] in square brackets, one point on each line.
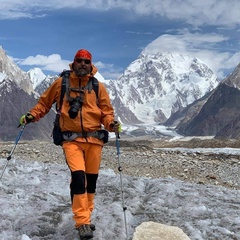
[82, 115]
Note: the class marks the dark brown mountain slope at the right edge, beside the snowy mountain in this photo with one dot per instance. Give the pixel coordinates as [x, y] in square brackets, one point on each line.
[219, 116]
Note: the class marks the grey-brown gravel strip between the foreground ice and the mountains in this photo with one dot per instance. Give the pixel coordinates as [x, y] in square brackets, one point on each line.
[144, 158]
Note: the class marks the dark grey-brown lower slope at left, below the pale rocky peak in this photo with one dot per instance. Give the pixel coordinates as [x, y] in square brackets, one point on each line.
[15, 102]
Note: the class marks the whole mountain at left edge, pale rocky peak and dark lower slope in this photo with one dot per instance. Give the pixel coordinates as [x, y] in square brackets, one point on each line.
[17, 98]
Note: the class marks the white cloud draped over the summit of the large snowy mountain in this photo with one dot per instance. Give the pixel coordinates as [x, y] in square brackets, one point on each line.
[206, 47]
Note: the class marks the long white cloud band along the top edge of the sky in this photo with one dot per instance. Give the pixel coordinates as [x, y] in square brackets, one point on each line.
[198, 13]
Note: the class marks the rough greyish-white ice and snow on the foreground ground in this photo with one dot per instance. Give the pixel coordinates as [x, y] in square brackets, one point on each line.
[35, 204]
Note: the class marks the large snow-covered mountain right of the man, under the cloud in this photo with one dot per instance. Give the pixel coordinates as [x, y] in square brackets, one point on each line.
[156, 85]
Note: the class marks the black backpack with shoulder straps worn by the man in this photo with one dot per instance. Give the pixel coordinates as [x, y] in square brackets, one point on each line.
[92, 84]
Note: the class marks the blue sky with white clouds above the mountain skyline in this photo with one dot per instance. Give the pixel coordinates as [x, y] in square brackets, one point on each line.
[47, 35]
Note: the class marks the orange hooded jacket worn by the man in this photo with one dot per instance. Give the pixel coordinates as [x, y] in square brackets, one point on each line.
[93, 114]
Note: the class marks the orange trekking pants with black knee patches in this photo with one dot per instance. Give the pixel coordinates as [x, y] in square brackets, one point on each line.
[83, 159]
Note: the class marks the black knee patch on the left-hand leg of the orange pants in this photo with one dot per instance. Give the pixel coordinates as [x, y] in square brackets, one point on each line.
[78, 184]
